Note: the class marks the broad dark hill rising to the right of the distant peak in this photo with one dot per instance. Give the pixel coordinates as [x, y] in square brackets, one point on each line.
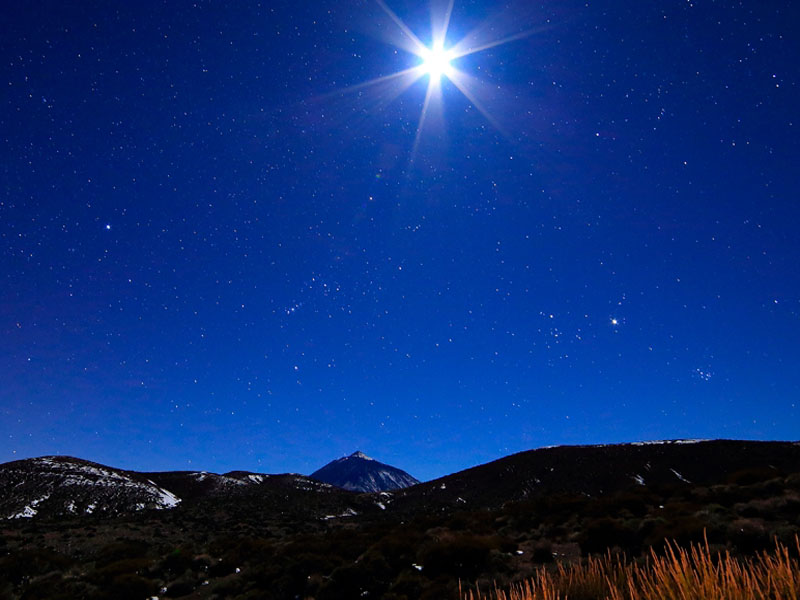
[600, 470]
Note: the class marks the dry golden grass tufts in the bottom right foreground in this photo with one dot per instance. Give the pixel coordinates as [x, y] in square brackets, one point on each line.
[679, 574]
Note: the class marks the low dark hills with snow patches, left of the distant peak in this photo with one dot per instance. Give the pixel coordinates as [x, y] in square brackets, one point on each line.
[63, 487]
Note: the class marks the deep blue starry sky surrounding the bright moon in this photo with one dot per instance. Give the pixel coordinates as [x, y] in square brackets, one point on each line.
[228, 240]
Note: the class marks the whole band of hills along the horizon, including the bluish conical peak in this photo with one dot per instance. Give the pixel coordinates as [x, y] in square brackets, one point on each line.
[59, 486]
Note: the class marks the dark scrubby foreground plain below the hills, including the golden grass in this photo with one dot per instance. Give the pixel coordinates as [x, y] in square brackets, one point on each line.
[251, 549]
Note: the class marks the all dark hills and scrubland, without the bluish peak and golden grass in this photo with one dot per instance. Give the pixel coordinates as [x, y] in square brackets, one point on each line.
[245, 535]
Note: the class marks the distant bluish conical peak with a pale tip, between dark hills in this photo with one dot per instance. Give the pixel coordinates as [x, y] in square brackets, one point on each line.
[360, 473]
